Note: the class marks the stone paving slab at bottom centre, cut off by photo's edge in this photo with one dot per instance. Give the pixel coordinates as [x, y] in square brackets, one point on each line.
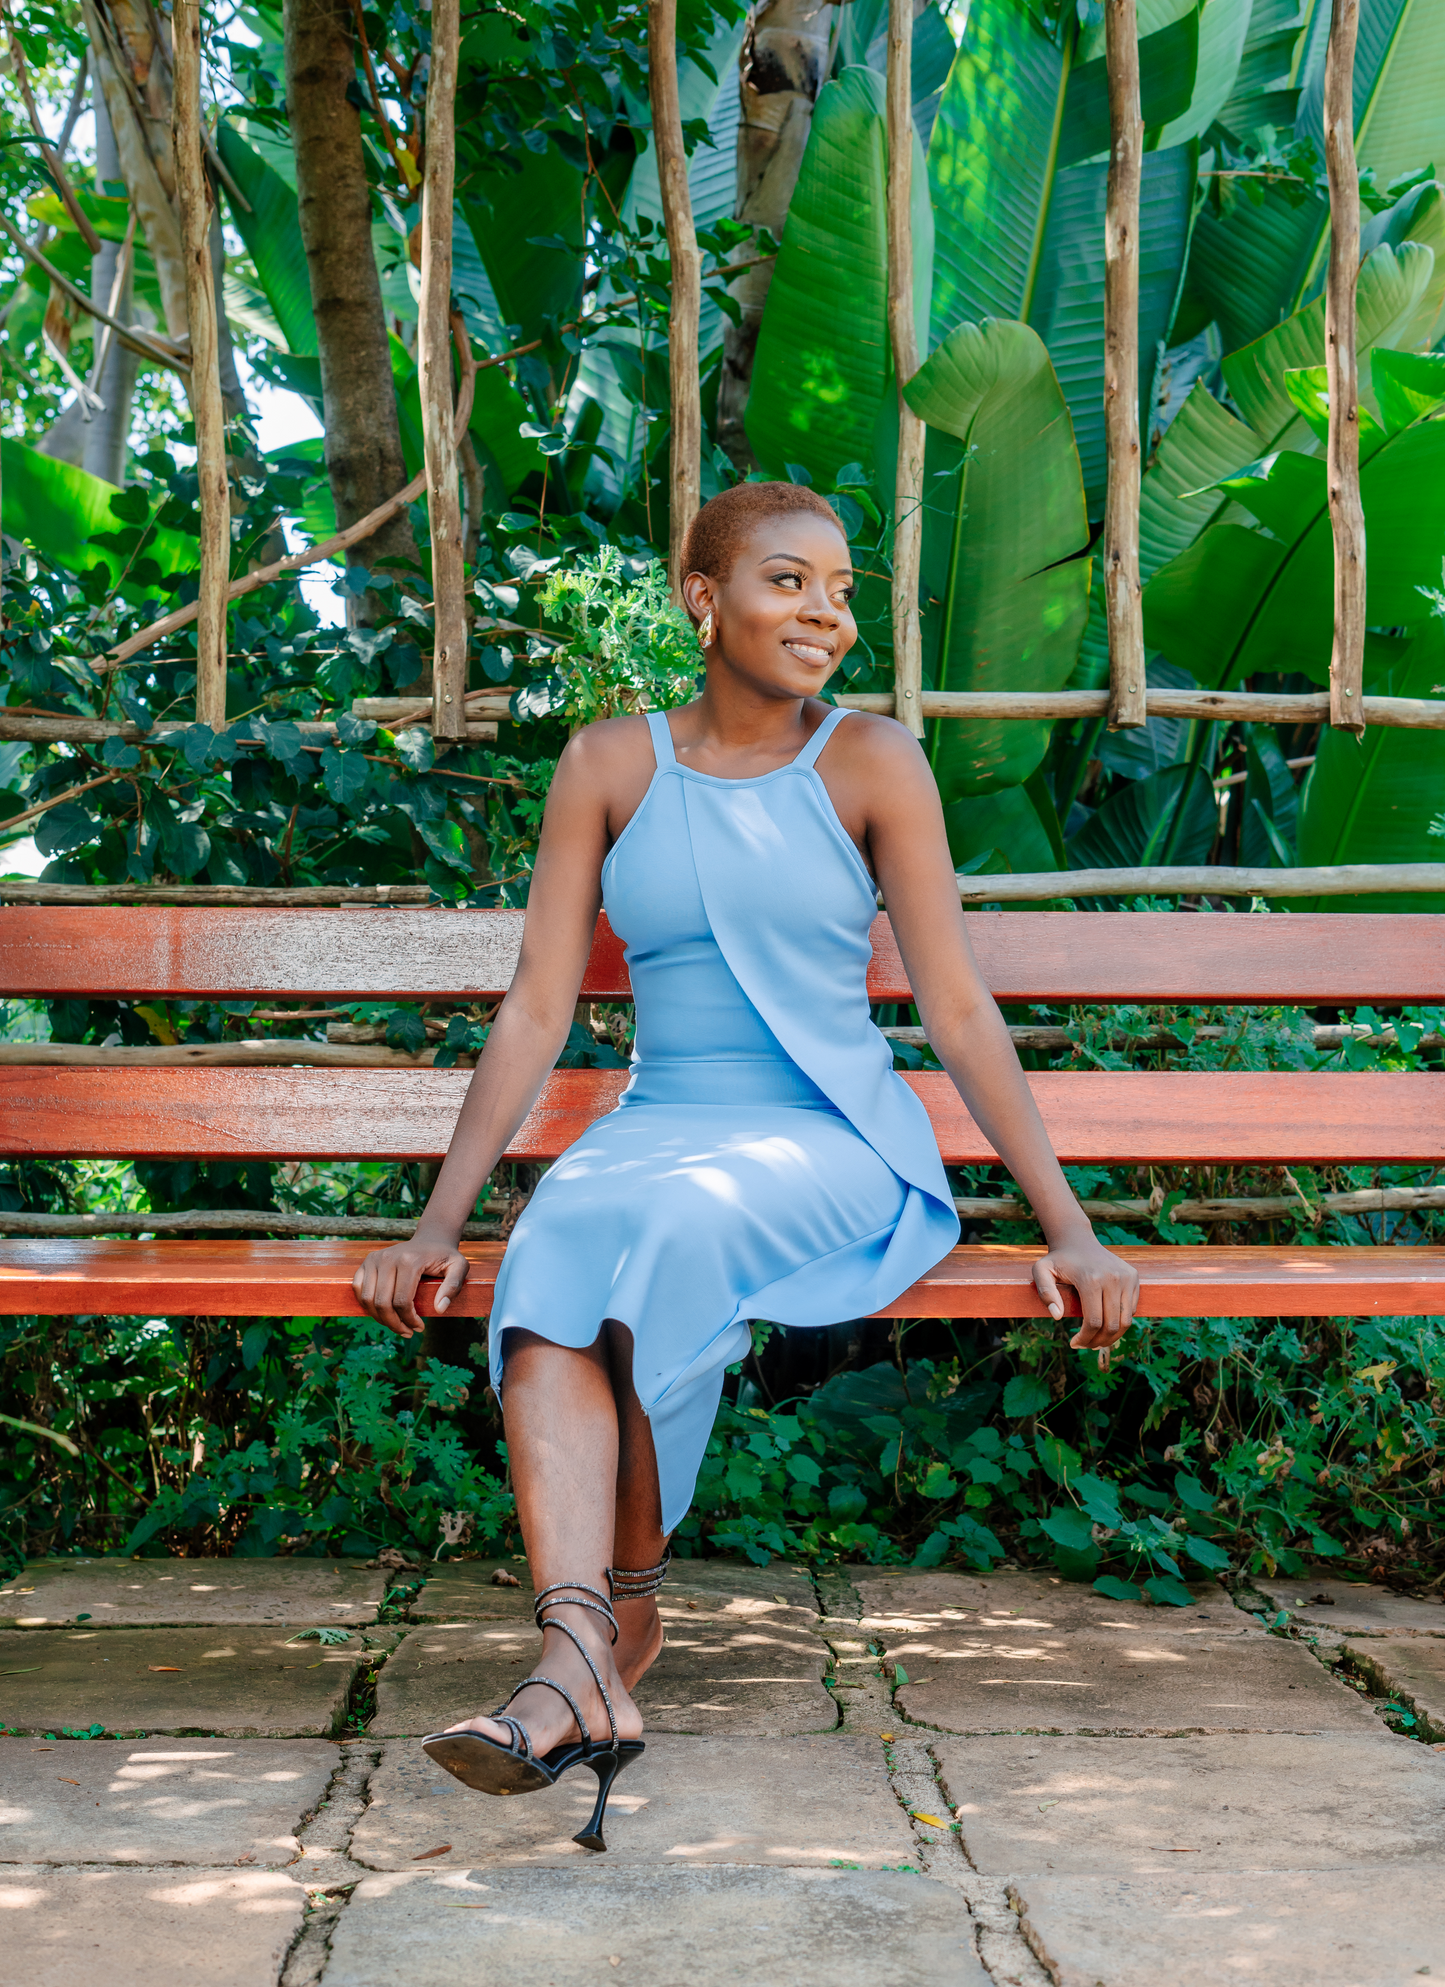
[746, 1928]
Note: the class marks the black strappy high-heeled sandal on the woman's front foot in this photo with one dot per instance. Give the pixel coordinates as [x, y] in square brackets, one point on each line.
[492, 1767]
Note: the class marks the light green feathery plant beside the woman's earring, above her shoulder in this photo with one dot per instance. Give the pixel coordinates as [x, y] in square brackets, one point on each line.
[629, 649]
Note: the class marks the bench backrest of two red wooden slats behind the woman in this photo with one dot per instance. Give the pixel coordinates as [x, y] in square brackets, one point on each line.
[408, 1114]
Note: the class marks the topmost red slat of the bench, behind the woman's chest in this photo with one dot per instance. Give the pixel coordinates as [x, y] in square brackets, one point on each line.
[408, 955]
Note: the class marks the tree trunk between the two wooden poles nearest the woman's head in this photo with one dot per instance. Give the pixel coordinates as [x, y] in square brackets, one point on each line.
[784, 65]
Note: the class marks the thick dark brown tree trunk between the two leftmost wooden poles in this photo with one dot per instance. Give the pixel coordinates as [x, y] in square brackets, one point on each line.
[363, 434]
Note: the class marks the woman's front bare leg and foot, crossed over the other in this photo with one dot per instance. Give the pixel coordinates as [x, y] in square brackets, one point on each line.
[562, 1424]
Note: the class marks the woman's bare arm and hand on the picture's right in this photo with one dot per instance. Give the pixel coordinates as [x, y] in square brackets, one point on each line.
[905, 834]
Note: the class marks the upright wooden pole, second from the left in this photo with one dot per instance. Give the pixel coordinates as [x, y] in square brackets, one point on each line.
[438, 418]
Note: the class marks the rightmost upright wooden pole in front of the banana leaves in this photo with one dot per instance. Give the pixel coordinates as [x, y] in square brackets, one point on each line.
[1343, 373]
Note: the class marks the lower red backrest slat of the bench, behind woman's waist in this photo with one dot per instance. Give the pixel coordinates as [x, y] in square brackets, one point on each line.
[1231, 1118]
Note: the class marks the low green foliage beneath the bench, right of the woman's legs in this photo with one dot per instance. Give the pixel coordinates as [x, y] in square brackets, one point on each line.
[1215, 1446]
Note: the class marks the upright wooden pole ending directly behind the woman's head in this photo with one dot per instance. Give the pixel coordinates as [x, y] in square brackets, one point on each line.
[687, 281]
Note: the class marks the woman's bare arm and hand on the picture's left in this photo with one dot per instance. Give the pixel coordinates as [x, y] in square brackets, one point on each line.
[526, 1038]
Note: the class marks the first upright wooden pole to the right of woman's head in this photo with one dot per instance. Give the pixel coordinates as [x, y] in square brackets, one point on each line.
[903, 339]
